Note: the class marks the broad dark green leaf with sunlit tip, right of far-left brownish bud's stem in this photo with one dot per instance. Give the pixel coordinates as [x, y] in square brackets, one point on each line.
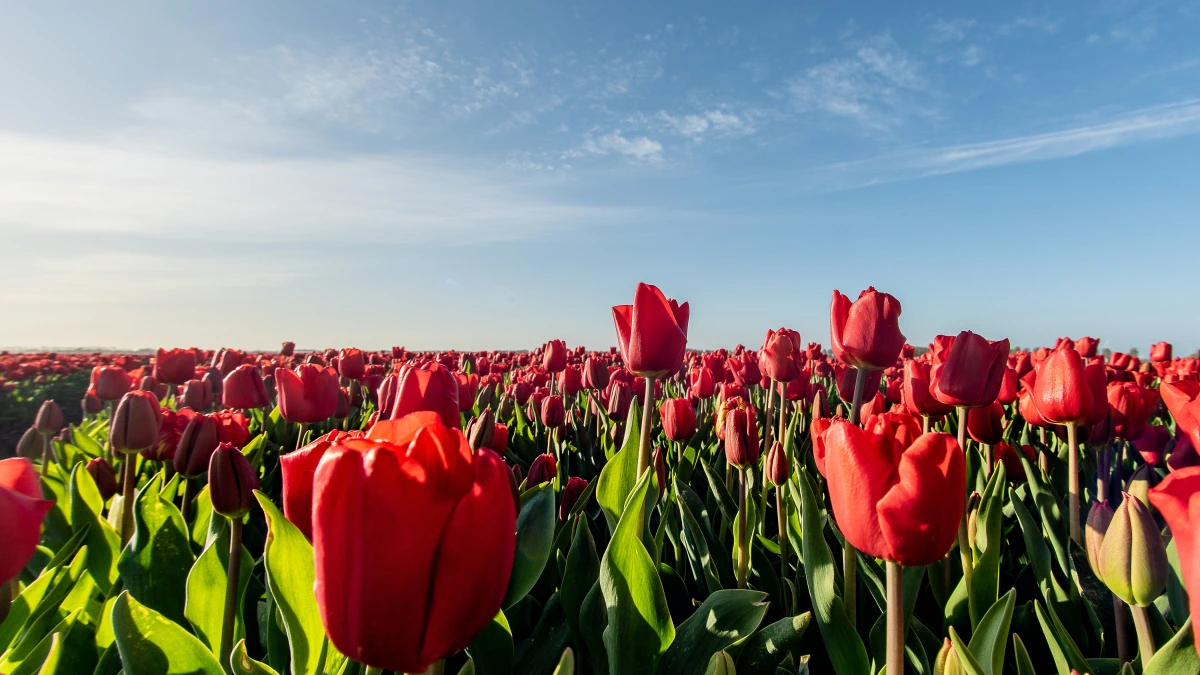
[154, 565]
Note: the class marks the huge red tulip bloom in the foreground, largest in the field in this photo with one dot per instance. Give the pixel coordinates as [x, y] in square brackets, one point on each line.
[413, 527]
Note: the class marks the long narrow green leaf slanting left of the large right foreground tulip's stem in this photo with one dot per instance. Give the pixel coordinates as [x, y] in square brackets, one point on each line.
[847, 650]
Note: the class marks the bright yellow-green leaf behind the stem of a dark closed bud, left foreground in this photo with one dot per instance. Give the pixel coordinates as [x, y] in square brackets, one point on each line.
[207, 590]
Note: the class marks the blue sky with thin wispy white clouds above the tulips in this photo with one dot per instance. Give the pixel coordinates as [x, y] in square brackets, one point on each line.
[494, 175]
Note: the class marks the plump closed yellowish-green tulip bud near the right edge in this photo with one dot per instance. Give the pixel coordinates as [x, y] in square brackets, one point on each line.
[1132, 557]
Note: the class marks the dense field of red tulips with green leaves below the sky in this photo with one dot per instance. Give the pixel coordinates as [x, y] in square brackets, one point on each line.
[843, 503]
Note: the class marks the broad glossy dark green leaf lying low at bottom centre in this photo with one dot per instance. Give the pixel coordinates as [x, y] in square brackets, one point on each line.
[724, 619]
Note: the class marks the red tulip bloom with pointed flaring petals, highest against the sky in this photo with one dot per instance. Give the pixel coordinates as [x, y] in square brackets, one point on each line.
[652, 332]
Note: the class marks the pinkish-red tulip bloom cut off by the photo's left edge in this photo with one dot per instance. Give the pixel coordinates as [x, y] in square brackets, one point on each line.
[22, 510]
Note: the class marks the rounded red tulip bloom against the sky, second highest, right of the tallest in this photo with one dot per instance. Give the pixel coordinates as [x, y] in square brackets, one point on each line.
[866, 333]
